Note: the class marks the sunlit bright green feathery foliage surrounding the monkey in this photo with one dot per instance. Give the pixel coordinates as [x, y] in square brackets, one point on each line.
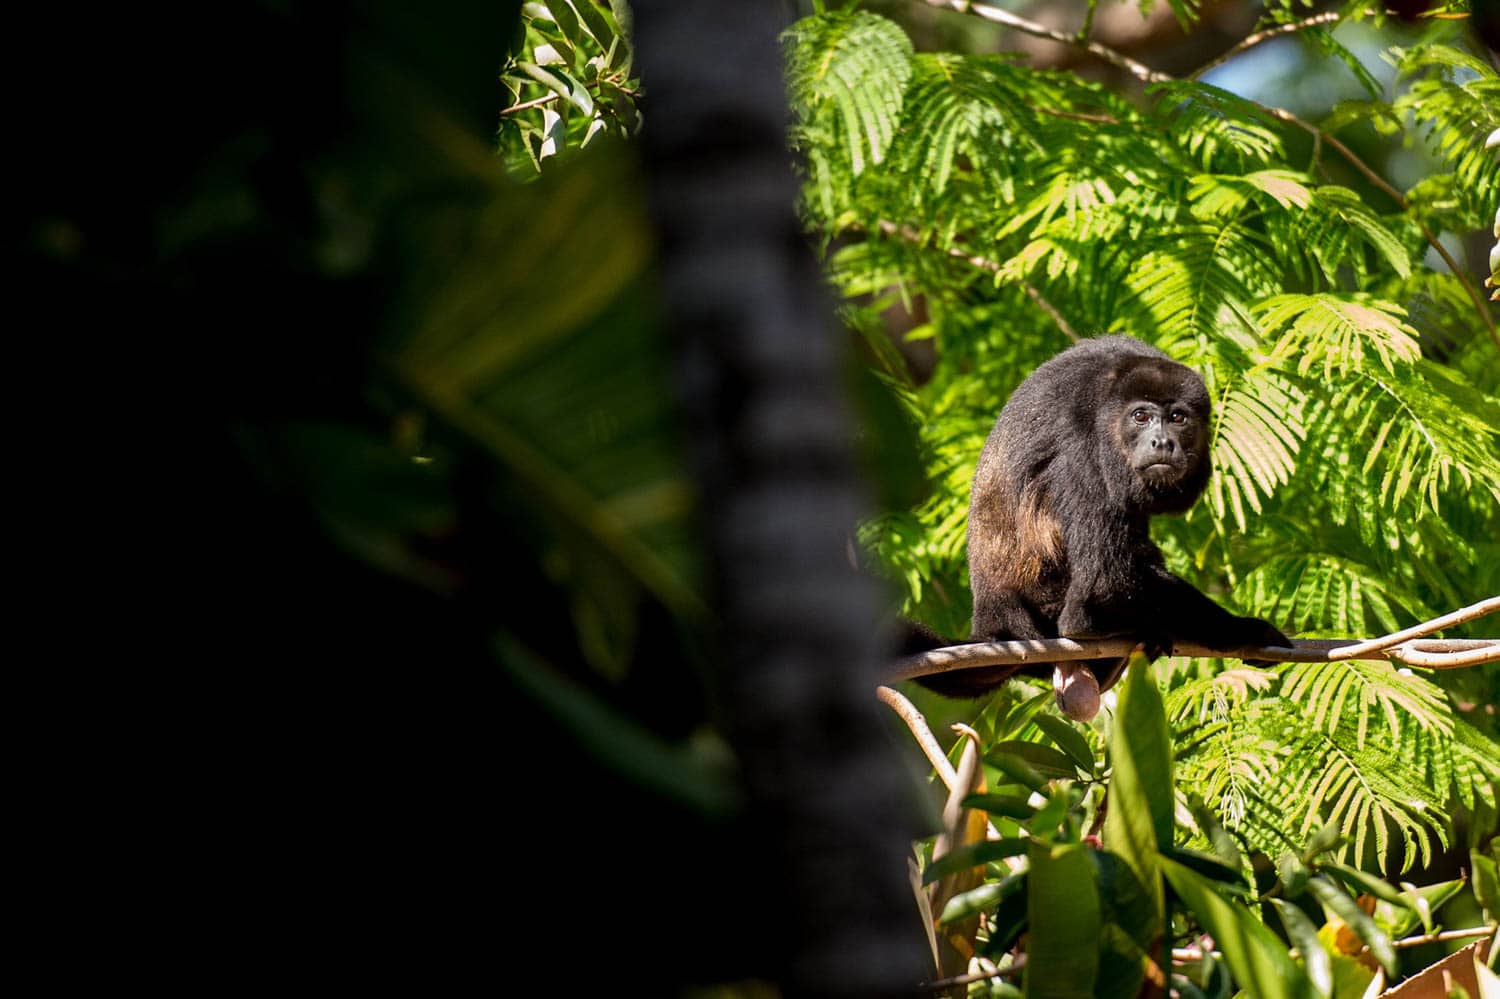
[1357, 449]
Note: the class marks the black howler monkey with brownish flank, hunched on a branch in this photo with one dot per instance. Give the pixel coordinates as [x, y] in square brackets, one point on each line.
[1090, 448]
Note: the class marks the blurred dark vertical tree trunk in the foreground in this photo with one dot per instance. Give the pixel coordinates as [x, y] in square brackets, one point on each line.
[763, 379]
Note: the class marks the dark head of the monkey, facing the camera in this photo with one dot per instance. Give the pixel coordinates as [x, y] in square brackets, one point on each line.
[1159, 422]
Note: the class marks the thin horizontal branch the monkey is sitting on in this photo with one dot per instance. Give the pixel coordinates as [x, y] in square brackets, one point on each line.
[1438, 653]
